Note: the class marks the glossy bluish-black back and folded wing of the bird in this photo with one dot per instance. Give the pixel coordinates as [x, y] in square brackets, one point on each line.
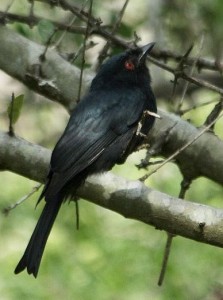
[91, 129]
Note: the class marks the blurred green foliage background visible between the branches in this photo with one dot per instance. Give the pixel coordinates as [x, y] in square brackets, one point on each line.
[110, 257]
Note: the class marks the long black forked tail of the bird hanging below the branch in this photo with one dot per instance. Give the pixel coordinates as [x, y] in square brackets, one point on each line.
[32, 256]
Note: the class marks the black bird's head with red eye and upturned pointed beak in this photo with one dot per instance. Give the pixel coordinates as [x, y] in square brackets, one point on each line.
[128, 67]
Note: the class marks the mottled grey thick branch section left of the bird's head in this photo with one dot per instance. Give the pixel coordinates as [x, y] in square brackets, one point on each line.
[53, 77]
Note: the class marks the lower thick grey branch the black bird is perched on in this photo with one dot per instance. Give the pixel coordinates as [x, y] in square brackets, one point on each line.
[132, 199]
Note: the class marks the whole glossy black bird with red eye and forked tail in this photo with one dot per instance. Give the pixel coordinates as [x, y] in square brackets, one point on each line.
[104, 128]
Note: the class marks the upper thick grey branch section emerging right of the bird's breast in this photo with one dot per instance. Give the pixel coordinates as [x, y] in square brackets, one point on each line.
[201, 158]
